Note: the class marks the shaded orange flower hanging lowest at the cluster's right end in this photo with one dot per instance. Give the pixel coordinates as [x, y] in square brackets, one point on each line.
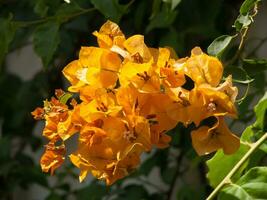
[206, 140]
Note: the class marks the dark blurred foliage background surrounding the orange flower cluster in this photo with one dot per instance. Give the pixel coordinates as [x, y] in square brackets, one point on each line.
[39, 37]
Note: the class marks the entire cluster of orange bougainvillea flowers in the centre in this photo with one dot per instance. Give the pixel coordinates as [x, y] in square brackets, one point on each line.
[131, 95]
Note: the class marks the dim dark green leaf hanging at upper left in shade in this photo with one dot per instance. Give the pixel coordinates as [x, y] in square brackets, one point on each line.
[46, 39]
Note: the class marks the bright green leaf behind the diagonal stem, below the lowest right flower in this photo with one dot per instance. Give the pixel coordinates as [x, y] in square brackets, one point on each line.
[217, 171]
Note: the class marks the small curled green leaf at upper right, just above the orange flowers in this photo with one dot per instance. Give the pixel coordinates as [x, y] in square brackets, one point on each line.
[218, 46]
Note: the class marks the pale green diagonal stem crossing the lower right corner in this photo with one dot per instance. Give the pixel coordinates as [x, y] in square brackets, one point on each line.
[227, 179]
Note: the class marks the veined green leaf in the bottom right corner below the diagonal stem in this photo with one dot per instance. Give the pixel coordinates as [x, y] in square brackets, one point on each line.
[252, 185]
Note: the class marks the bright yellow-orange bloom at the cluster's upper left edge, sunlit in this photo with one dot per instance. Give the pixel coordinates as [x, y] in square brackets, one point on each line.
[96, 67]
